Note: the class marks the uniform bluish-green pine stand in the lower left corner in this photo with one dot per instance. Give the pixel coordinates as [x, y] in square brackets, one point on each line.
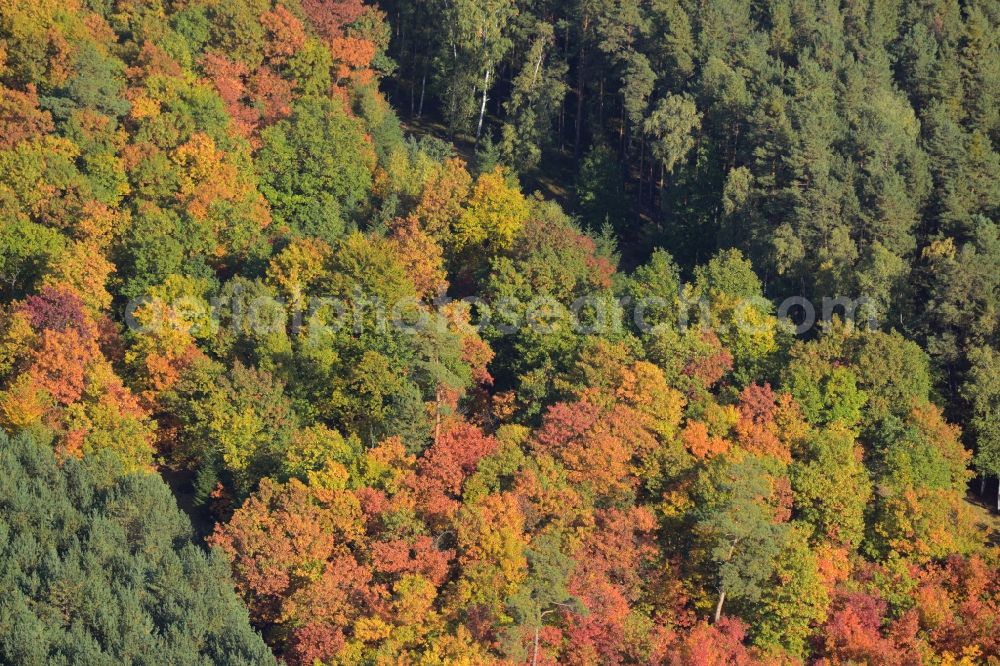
[100, 567]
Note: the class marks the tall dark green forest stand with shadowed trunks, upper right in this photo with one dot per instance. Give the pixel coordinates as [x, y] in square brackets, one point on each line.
[845, 148]
